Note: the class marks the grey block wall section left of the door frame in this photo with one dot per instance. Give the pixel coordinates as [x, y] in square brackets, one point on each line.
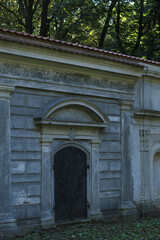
[25, 155]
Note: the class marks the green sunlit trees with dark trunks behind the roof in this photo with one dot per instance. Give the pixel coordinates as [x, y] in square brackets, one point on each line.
[127, 26]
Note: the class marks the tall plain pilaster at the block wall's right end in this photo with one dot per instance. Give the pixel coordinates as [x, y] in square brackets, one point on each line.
[128, 209]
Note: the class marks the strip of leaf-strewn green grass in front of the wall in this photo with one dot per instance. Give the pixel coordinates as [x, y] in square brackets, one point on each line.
[141, 230]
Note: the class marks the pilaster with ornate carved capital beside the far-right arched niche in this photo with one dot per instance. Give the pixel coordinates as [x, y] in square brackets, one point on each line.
[146, 201]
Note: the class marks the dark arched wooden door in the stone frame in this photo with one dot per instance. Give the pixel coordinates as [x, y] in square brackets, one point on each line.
[70, 184]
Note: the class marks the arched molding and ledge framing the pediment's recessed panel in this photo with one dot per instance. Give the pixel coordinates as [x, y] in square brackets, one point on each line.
[47, 116]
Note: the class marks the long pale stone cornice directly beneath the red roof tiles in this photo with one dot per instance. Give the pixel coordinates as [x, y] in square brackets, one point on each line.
[69, 59]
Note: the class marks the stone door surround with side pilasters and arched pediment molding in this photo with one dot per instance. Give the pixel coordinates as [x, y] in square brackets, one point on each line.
[54, 135]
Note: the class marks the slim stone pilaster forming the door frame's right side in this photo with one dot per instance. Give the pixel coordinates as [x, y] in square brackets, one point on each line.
[95, 185]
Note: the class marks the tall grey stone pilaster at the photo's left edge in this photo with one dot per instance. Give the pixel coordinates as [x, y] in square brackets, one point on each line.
[7, 222]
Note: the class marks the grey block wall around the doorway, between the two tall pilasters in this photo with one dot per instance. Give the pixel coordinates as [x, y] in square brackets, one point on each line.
[26, 153]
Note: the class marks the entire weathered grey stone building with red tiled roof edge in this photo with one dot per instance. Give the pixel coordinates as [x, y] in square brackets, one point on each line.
[79, 133]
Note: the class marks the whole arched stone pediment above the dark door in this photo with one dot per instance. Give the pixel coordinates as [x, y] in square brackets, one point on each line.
[73, 112]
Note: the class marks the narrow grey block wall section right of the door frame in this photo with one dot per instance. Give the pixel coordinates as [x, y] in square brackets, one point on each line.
[110, 159]
